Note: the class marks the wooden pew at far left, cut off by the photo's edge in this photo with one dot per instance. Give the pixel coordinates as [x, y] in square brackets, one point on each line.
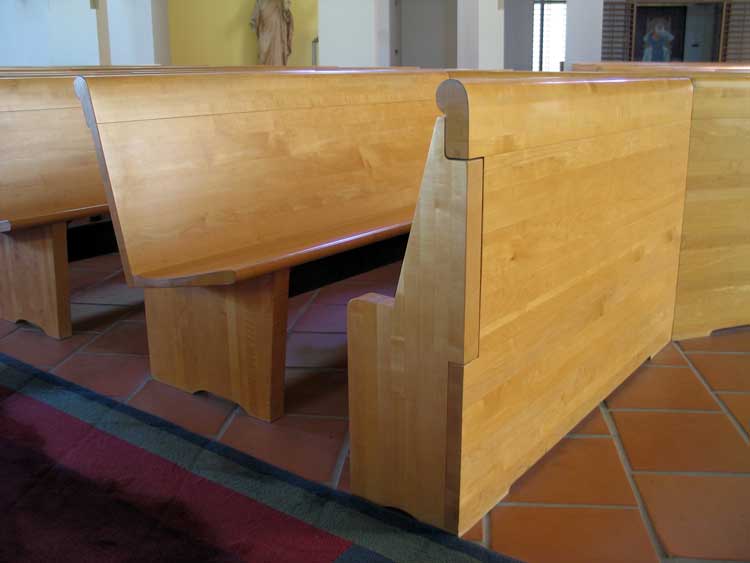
[49, 175]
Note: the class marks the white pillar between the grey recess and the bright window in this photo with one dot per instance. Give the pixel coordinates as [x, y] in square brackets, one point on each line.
[480, 34]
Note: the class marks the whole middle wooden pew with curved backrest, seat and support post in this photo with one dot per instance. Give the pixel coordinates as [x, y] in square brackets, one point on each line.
[219, 184]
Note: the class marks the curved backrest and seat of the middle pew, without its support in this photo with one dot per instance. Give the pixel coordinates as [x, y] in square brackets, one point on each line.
[218, 178]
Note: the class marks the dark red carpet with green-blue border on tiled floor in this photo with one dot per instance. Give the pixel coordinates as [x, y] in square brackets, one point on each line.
[86, 479]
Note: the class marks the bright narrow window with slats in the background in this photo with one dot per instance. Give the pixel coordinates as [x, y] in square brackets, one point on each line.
[550, 20]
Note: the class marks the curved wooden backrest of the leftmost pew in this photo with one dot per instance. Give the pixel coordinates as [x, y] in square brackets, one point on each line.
[48, 166]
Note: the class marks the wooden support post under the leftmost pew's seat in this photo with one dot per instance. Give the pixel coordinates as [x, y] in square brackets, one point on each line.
[34, 279]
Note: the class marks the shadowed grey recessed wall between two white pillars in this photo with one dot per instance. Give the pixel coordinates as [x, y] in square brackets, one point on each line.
[429, 33]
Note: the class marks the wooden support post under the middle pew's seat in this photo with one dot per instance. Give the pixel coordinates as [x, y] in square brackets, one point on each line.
[227, 340]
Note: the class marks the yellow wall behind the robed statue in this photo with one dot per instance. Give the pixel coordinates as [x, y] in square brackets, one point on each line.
[217, 32]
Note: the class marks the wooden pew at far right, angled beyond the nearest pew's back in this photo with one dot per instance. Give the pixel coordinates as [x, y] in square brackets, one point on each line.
[713, 289]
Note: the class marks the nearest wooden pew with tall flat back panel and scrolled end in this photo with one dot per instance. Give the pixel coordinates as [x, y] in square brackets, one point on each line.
[540, 272]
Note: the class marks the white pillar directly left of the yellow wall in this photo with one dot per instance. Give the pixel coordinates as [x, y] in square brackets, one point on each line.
[138, 32]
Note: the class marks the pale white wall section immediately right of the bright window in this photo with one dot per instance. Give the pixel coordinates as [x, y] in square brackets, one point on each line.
[583, 40]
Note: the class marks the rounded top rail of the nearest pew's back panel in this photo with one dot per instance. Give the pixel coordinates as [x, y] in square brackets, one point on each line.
[493, 109]
